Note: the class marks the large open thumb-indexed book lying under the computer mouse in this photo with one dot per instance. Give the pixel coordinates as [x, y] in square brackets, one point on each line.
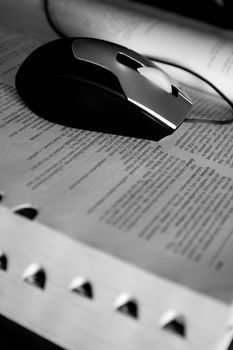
[131, 242]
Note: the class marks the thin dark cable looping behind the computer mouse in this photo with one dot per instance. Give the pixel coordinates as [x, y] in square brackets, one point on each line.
[162, 61]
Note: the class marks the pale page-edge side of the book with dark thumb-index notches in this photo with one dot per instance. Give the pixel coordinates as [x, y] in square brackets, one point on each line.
[77, 296]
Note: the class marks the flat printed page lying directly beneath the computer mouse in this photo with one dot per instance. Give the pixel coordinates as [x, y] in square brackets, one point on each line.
[163, 206]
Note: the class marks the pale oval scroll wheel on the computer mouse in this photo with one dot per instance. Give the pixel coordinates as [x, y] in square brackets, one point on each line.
[157, 77]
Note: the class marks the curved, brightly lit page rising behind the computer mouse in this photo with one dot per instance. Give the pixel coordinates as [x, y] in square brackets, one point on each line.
[204, 49]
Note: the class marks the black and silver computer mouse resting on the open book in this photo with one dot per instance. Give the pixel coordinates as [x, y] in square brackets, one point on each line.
[98, 85]
